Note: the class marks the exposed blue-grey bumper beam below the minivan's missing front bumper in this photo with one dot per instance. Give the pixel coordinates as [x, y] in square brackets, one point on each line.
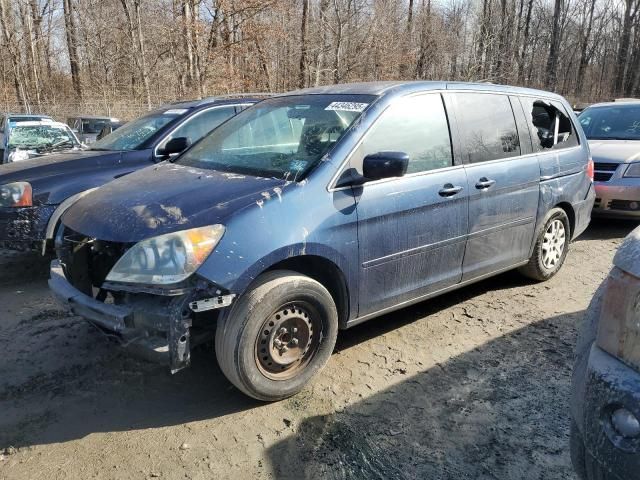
[140, 331]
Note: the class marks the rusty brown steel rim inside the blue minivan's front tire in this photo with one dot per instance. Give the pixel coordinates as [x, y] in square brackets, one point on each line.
[287, 341]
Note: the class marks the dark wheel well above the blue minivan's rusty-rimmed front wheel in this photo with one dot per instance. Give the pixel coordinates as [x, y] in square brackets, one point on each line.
[327, 273]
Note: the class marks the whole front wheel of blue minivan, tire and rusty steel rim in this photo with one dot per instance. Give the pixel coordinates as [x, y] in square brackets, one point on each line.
[247, 336]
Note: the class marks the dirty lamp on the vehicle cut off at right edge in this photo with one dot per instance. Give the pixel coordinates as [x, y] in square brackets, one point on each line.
[619, 325]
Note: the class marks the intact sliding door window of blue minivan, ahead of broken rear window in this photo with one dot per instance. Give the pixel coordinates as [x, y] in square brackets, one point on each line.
[487, 126]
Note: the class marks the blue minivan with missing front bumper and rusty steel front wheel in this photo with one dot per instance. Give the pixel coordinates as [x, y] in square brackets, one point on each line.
[318, 209]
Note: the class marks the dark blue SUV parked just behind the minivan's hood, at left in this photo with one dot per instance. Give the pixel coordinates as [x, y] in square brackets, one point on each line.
[34, 194]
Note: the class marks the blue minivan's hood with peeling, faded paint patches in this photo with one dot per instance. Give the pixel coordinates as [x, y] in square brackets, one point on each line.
[163, 199]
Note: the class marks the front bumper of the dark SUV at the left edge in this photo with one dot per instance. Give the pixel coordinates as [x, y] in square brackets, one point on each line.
[24, 228]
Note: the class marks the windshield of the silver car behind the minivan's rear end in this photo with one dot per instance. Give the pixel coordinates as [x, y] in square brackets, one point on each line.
[611, 123]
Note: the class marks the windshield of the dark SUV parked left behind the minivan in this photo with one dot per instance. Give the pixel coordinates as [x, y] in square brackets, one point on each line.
[132, 135]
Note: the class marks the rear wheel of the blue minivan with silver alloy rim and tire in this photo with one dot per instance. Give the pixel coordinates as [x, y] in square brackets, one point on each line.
[551, 247]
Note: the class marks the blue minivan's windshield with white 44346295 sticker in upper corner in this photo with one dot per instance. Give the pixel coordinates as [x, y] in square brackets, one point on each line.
[282, 137]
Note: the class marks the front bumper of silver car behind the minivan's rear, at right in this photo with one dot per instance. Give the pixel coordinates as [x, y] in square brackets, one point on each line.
[619, 197]
